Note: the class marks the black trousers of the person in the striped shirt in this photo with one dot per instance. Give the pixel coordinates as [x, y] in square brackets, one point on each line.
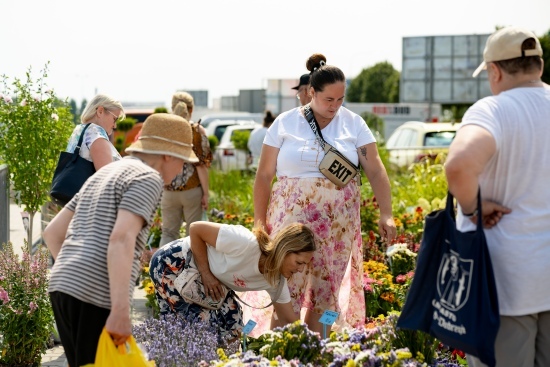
[79, 325]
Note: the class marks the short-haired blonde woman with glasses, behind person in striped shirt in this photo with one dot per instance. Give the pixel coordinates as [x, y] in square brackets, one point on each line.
[101, 116]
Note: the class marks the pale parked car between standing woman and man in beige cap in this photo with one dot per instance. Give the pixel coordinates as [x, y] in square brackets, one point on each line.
[415, 141]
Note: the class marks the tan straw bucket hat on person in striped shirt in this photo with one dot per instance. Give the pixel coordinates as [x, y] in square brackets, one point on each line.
[168, 134]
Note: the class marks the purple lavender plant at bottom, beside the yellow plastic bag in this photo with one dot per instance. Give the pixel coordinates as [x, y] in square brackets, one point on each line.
[175, 342]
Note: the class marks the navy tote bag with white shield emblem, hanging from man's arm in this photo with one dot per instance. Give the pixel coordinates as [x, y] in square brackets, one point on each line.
[453, 294]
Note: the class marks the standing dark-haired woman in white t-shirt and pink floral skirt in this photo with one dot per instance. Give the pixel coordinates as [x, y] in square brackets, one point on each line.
[333, 280]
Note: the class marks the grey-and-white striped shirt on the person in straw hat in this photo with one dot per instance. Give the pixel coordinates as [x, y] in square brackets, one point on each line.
[81, 266]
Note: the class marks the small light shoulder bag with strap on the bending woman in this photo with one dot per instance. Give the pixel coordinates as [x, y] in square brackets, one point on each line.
[189, 285]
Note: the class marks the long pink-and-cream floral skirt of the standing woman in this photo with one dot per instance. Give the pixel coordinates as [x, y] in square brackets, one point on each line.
[333, 279]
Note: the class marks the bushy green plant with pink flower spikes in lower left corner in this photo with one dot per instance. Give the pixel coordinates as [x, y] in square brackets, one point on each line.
[26, 316]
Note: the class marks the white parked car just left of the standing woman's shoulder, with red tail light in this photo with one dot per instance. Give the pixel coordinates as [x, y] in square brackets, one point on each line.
[226, 157]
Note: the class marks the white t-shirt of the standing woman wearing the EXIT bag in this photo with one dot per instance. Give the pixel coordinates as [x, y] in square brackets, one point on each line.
[300, 153]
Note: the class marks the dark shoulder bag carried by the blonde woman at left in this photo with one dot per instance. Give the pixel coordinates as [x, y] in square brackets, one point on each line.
[70, 174]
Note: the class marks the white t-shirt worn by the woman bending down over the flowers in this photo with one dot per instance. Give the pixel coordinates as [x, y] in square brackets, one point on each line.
[234, 261]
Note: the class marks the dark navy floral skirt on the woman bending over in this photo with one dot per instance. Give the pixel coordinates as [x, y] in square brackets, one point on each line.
[166, 264]
